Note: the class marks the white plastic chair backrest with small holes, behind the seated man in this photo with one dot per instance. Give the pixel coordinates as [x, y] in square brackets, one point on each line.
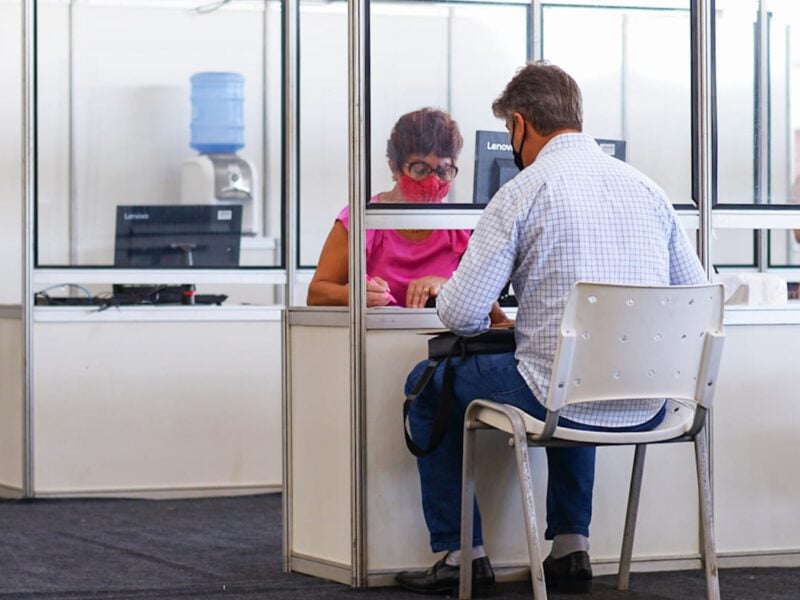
[623, 342]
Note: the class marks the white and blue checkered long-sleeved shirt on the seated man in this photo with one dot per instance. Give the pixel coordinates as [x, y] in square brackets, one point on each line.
[575, 214]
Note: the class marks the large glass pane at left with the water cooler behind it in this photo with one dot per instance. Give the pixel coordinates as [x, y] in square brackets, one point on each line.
[115, 114]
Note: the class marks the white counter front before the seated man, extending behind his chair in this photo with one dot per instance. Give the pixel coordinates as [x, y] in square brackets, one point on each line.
[757, 492]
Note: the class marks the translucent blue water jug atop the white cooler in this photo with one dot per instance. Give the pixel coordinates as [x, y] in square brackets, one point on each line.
[217, 112]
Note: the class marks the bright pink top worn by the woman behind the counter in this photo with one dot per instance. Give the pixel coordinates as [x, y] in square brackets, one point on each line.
[399, 260]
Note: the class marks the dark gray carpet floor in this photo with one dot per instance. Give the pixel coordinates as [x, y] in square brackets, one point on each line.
[230, 548]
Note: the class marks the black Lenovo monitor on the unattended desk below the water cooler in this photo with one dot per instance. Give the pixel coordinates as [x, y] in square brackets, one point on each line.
[178, 236]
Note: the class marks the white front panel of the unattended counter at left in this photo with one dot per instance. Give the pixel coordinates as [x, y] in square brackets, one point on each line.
[156, 400]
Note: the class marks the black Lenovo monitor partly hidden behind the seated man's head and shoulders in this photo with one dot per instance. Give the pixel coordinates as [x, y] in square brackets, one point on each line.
[494, 162]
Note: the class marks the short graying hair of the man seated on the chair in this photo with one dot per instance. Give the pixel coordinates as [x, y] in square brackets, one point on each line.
[545, 95]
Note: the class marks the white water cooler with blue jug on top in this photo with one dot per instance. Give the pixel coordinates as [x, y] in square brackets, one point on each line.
[218, 175]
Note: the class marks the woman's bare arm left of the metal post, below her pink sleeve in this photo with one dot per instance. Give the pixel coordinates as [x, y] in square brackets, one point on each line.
[328, 287]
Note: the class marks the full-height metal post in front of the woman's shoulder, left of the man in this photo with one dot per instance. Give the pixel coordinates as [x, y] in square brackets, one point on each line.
[358, 144]
